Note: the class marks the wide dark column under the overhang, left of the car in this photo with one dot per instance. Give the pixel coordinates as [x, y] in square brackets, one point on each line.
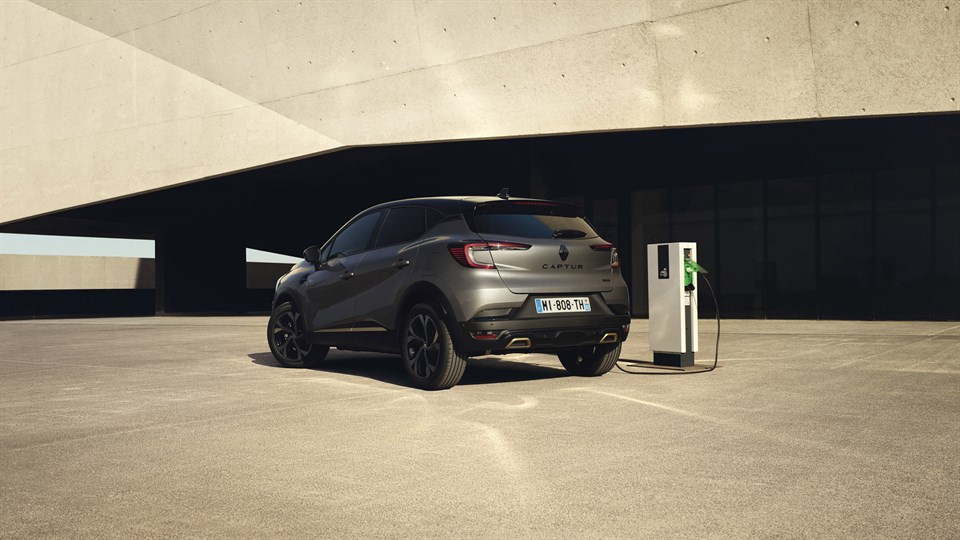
[200, 271]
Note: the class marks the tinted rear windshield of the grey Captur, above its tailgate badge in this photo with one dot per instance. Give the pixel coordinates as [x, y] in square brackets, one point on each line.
[532, 219]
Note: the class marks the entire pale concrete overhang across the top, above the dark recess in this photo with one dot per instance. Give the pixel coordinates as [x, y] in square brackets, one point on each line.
[105, 99]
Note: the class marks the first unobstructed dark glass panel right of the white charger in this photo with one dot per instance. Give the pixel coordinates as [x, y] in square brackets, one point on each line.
[740, 270]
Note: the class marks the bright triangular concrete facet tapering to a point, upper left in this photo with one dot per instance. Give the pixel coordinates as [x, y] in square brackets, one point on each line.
[85, 116]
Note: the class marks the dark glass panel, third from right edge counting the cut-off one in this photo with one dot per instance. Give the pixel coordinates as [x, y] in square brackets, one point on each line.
[846, 254]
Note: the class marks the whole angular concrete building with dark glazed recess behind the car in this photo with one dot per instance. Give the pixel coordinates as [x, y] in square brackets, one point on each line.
[808, 146]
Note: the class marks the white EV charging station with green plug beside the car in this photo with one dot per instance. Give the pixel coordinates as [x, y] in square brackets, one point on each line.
[672, 286]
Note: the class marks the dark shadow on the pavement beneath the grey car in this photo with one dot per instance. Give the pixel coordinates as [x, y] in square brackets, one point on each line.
[387, 368]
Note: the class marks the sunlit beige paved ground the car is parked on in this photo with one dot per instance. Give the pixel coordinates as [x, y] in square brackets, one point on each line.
[186, 427]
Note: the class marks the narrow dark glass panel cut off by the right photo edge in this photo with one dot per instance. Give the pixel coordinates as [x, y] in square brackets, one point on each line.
[946, 274]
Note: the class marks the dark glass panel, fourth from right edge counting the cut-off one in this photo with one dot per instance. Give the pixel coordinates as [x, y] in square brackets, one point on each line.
[791, 249]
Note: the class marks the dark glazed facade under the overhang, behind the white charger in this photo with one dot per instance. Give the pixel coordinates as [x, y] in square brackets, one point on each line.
[854, 245]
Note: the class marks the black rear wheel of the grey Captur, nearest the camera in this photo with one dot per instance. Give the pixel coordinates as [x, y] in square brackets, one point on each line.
[426, 346]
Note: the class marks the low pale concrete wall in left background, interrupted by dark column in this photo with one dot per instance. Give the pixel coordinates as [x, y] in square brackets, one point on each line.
[52, 272]
